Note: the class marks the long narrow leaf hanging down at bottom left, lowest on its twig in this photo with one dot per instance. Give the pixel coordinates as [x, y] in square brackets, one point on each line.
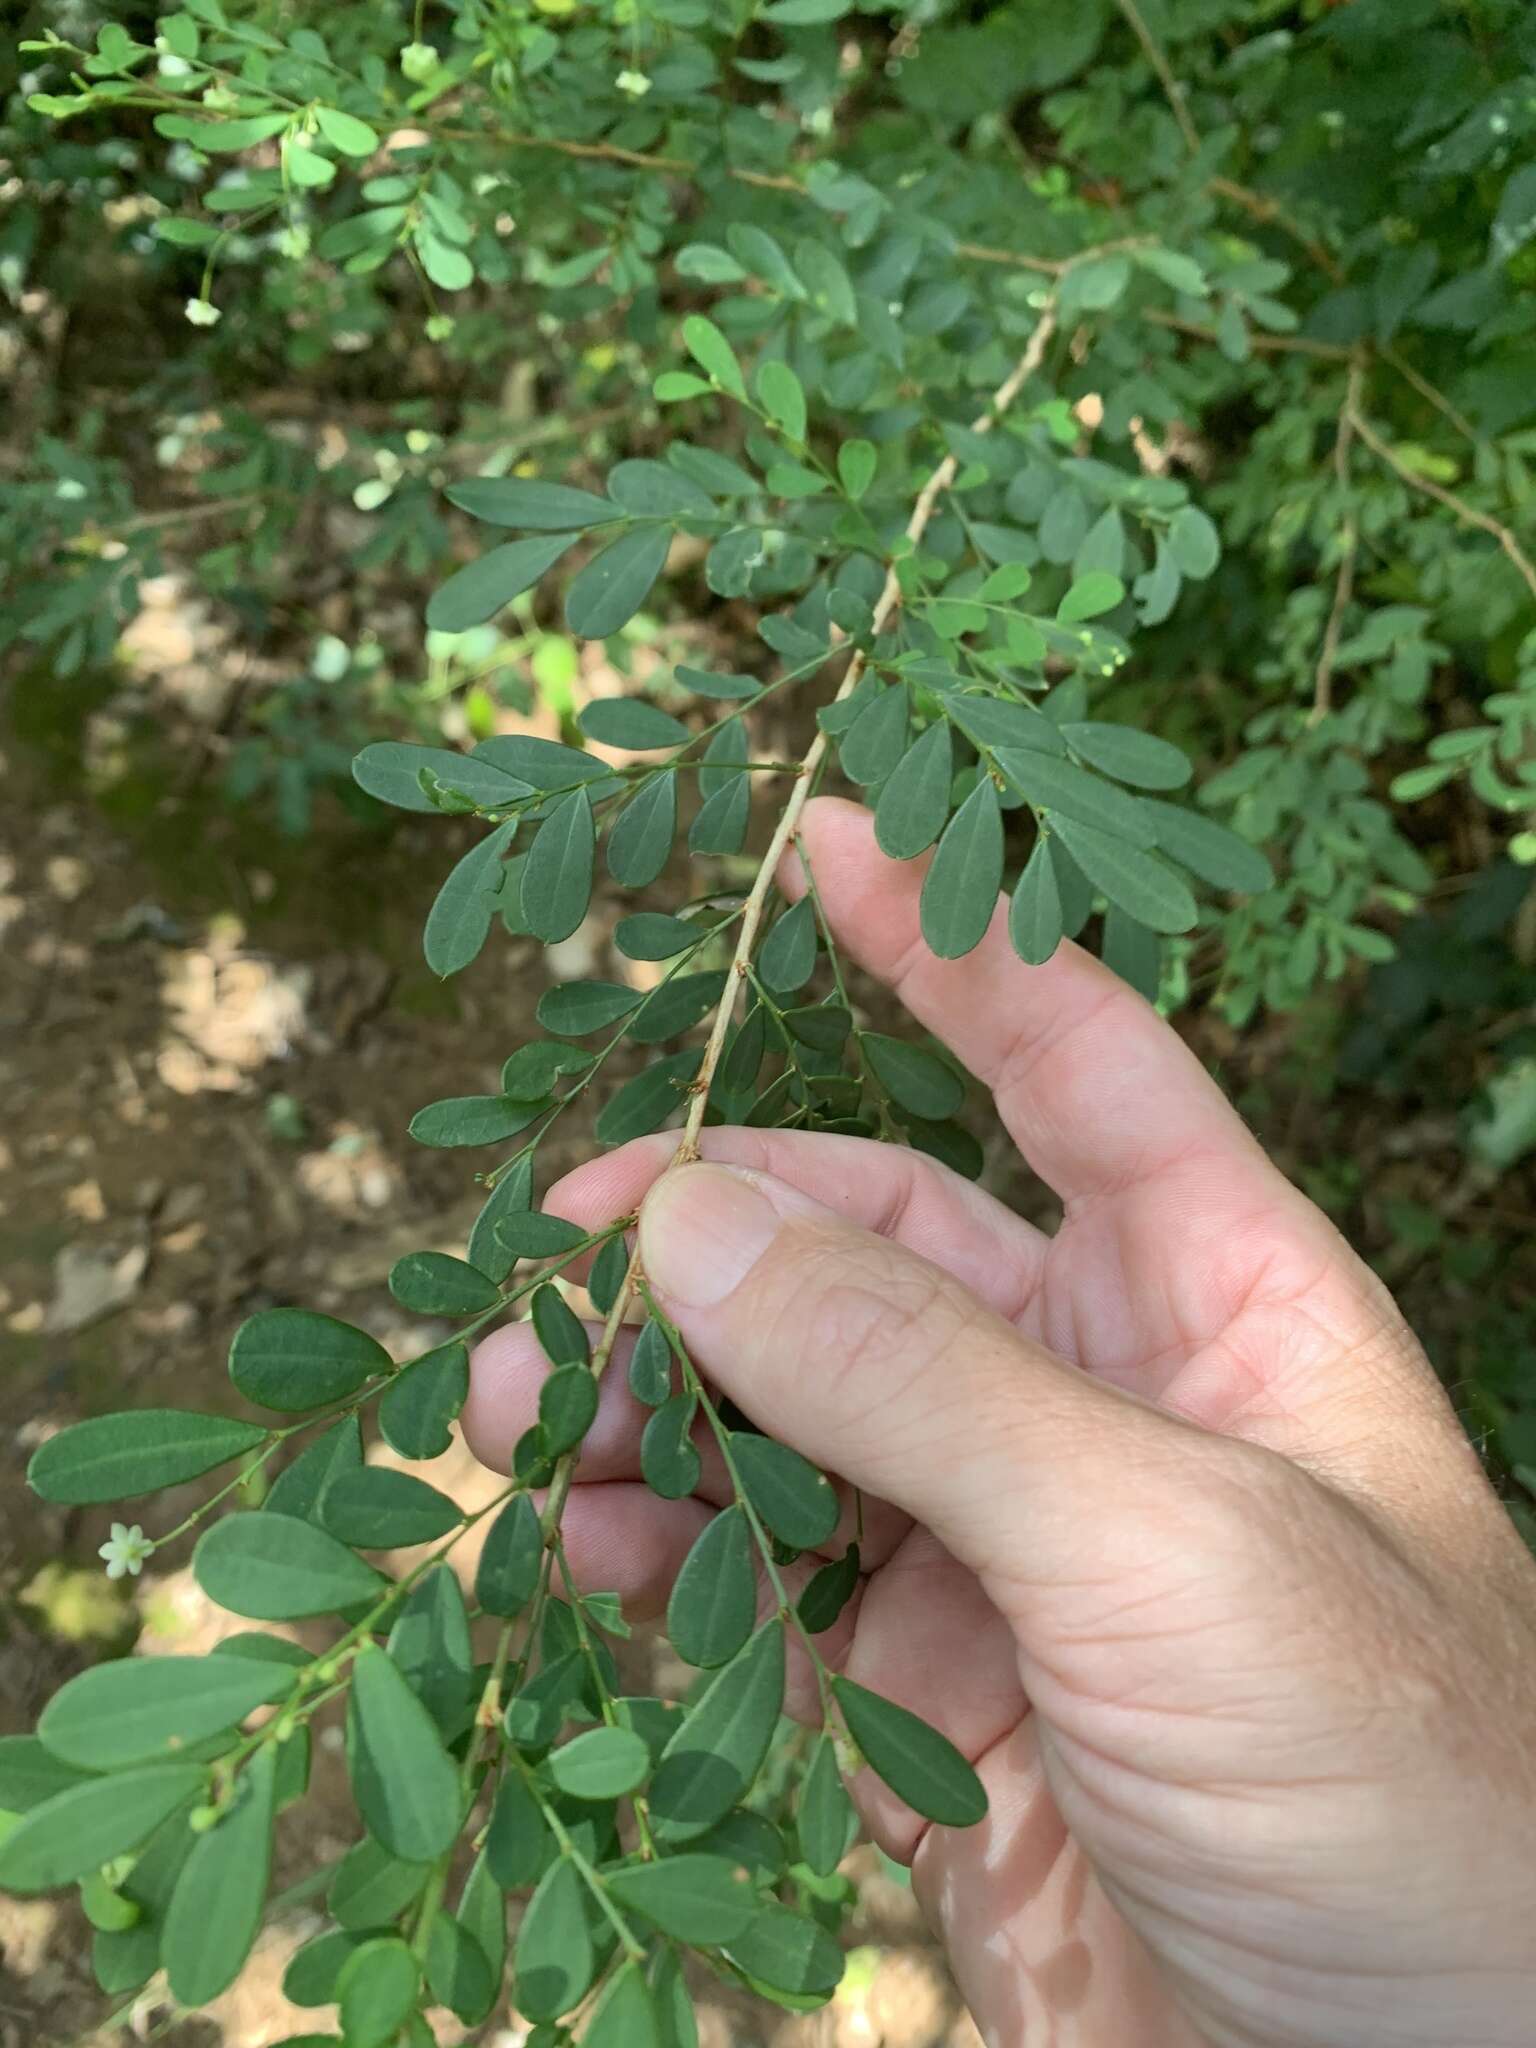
[216, 1910]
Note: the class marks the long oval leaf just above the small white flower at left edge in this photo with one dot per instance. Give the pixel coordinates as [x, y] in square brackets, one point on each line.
[124, 1457]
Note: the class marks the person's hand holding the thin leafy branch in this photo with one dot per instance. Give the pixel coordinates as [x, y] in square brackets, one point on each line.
[1168, 1527]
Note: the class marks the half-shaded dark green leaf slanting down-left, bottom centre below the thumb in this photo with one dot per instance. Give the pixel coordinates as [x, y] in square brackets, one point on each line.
[718, 1752]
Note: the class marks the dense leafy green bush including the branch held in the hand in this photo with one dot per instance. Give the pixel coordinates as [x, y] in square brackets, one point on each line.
[1119, 382]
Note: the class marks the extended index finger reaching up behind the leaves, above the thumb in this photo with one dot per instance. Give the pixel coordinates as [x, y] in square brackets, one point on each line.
[1095, 1089]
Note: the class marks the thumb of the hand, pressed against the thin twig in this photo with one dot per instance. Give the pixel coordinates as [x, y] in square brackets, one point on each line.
[888, 1371]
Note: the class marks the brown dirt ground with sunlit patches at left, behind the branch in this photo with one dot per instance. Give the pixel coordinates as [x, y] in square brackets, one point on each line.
[208, 1066]
